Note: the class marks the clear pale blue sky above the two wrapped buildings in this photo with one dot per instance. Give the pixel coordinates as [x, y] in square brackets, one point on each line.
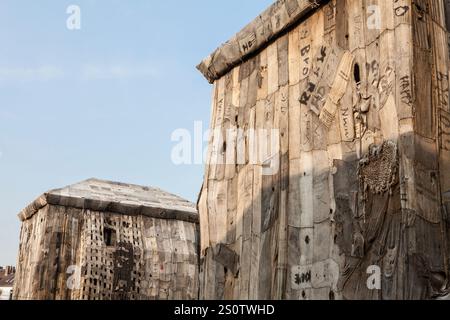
[102, 101]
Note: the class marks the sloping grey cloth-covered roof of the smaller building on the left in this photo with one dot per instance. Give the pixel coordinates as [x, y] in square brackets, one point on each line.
[115, 197]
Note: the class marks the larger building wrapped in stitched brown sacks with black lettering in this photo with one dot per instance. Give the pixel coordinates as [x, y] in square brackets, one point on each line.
[349, 201]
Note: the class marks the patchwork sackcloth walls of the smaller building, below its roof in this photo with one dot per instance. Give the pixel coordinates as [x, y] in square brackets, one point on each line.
[72, 254]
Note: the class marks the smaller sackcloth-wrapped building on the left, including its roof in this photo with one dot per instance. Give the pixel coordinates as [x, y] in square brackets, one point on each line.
[102, 240]
